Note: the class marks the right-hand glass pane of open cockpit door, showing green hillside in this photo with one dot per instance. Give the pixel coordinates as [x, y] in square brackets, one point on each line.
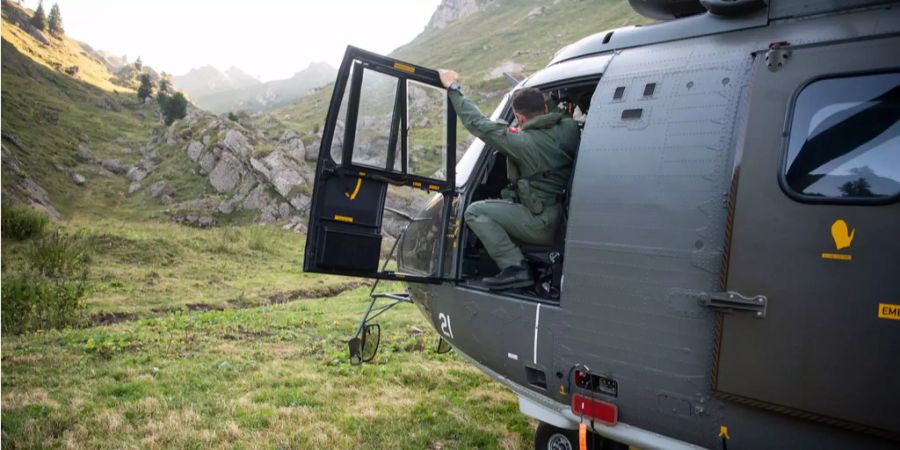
[427, 117]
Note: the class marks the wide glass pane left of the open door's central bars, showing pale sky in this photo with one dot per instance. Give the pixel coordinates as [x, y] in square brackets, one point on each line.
[378, 96]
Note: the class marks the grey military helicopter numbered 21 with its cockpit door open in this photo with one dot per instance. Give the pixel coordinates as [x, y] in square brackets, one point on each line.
[727, 271]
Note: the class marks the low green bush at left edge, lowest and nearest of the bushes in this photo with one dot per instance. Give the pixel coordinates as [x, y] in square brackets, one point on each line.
[31, 301]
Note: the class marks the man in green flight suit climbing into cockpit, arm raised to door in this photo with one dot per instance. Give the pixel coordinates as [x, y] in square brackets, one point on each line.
[542, 149]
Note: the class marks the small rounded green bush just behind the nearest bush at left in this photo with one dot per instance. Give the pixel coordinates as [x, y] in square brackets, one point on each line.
[58, 256]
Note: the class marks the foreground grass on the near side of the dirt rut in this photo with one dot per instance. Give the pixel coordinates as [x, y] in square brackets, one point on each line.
[272, 377]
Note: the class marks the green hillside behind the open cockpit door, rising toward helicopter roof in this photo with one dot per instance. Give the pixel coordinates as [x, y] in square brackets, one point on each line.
[518, 37]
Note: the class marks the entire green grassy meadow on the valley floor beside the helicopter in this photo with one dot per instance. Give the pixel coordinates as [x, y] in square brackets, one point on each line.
[215, 338]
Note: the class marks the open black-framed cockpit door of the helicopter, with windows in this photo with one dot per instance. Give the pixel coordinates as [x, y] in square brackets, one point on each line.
[389, 125]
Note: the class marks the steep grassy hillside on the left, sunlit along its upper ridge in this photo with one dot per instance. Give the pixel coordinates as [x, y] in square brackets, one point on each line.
[51, 113]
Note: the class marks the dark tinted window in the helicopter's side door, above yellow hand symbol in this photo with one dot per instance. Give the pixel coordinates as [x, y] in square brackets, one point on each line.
[844, 142]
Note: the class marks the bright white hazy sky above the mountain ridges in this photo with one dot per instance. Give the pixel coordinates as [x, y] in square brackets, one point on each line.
[270, 39]
